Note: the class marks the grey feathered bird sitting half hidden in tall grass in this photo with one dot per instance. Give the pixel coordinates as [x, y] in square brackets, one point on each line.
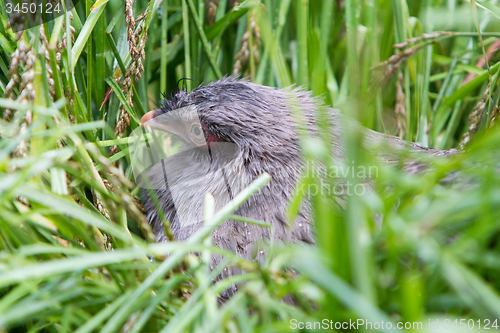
[228, 133]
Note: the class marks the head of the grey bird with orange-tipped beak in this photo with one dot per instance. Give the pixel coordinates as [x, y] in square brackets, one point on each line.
[255, 118]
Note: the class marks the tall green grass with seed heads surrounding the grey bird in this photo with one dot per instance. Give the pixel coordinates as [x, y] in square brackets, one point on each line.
[413, 249]
